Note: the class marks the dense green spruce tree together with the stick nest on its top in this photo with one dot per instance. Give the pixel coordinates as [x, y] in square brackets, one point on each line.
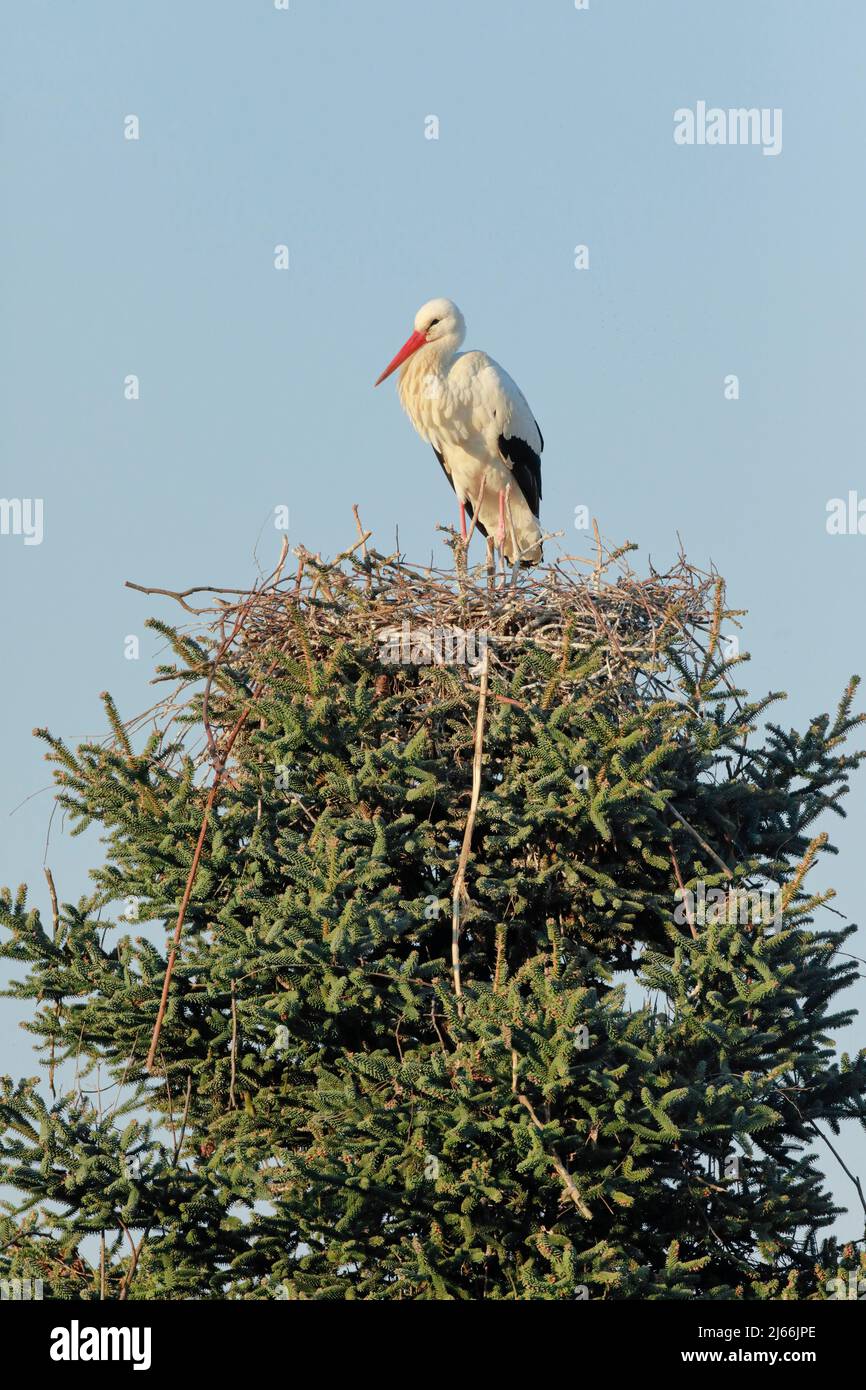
[504, 965]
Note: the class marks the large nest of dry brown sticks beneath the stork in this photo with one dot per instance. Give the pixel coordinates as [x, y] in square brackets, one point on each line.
[408, 622]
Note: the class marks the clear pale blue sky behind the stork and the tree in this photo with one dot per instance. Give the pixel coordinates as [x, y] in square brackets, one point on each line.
[308, 129]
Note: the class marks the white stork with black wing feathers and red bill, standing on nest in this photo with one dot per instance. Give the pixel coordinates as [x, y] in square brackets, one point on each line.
[480, 427]
